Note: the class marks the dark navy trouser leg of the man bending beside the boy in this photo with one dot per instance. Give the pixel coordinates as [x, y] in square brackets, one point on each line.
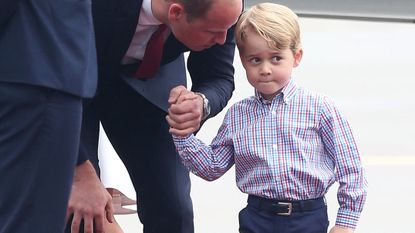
[139, 133]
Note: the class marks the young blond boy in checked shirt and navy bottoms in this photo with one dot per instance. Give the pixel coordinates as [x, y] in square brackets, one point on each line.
[288, 145]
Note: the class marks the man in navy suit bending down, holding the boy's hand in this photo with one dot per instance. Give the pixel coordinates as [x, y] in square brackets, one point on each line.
[132, 110]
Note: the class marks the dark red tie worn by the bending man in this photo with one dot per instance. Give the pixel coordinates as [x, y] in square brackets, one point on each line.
[152, 56]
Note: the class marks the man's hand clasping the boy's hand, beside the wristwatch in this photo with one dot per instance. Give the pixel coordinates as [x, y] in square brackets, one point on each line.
[185, 112]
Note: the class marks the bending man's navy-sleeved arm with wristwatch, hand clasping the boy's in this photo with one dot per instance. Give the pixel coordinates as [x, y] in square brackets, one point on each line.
[212, 74]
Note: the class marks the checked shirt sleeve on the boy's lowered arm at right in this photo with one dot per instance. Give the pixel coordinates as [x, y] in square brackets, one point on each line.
[341, 146]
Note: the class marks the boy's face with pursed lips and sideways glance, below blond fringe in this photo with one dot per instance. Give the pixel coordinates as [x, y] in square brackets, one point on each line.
[268, 70]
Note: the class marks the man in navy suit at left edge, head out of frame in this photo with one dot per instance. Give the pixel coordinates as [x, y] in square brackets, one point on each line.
[47, 64]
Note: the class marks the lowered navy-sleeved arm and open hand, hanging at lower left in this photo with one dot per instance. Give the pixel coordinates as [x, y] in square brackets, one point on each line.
[89, 200]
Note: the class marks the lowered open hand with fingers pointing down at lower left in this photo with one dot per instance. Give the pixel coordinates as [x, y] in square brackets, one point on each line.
[89, 201]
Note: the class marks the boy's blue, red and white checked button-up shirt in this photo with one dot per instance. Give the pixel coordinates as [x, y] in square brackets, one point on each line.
[291, 148]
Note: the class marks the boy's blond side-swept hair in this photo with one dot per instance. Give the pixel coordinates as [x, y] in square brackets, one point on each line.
[275, 23]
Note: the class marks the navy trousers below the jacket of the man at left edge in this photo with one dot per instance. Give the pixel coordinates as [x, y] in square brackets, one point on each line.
[39, 138]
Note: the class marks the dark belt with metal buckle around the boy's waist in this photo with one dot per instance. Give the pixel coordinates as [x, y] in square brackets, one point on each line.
[285, 208]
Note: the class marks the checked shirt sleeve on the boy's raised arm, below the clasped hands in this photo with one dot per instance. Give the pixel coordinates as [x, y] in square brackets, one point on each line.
[207, 161]
